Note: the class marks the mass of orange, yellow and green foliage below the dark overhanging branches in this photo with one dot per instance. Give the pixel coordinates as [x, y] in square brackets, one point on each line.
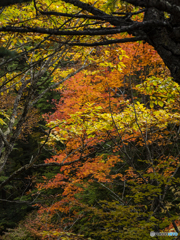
[117, 123]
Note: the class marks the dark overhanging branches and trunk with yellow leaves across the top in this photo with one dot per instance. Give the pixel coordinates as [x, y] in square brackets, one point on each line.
[90, 23]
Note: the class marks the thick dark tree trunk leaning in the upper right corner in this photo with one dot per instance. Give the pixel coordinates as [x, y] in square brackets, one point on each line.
[165, 40]
